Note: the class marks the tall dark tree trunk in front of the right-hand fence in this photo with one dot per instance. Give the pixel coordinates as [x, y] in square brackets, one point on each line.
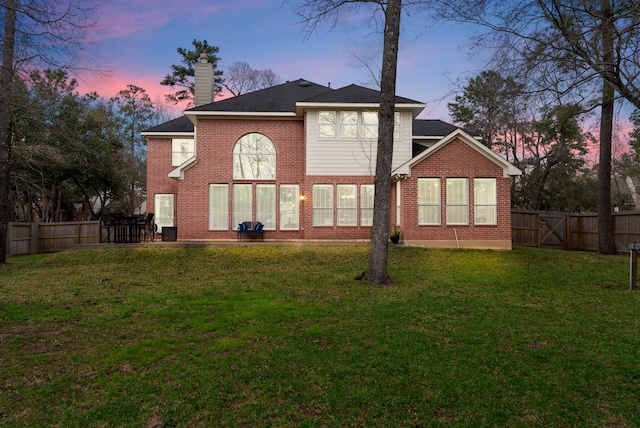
[606, 242]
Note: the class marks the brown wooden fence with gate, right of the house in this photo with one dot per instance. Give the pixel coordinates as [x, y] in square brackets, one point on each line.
[570, 231]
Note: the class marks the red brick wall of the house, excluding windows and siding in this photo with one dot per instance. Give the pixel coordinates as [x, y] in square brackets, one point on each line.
[214, 147]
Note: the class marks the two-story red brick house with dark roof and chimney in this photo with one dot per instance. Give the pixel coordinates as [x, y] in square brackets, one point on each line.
[300, 158]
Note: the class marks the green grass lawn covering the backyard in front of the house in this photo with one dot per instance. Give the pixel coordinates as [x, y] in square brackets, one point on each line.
[284, 336]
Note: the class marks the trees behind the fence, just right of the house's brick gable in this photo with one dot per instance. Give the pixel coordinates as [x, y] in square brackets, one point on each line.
[548, 145]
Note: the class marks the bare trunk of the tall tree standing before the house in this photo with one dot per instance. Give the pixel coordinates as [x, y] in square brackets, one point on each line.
[377, 274]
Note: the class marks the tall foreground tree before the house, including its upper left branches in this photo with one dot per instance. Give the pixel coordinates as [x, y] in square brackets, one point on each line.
[315, 11]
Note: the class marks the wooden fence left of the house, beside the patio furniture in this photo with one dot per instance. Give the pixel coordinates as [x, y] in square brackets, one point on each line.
[30, 238]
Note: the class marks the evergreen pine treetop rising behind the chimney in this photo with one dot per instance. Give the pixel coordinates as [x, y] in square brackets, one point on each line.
[181, 78]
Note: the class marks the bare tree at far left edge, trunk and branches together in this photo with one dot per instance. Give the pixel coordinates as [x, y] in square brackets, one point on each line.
[36, 33]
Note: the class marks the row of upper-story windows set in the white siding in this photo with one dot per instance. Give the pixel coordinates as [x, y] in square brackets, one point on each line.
[353, 124]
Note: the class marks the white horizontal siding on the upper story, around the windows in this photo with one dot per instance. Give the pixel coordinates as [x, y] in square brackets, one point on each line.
[337, 156]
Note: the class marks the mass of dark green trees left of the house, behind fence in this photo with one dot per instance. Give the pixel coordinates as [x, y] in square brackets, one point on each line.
[71, 147]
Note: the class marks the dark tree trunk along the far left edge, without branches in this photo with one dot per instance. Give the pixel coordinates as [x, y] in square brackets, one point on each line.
[6, 87]
